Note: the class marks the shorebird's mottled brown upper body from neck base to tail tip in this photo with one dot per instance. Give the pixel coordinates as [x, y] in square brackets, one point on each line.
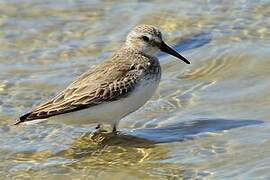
[109, 81]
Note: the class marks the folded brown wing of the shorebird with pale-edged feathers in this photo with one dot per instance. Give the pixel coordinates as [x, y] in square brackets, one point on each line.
[107, 82]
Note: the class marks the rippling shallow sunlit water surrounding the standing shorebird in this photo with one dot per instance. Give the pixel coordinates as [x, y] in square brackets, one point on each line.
[208, 120]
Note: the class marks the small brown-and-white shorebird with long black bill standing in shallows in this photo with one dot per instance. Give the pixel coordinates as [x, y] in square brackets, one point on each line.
[113, 89]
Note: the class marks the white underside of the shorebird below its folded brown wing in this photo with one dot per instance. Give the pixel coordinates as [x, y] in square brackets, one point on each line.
[111, 112]
